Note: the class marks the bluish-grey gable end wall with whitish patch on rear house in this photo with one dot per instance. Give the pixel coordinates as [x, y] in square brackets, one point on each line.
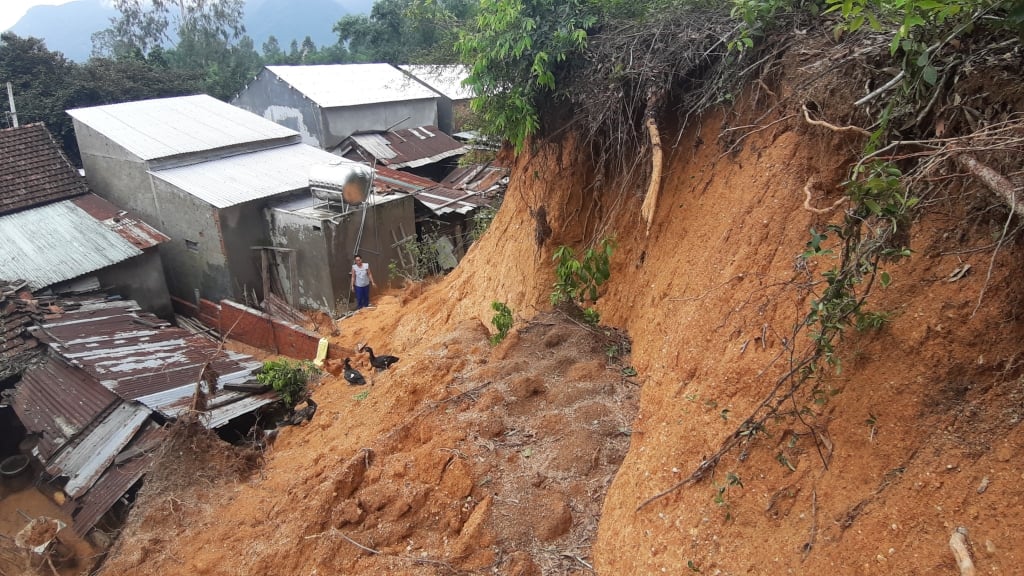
[273, 99]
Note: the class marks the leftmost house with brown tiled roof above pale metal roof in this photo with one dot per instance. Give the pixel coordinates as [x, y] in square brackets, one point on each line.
[56, 234]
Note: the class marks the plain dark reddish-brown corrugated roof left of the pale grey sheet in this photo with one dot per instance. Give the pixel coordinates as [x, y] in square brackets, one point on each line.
[58, 402]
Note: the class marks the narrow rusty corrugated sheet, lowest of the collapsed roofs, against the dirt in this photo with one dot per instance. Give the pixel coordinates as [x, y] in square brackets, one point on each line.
[118, 479]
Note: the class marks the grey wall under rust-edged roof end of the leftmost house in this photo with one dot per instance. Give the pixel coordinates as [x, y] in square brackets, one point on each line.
[142, 279]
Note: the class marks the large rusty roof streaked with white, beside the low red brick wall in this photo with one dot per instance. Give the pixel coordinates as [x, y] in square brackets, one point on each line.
[138, 356]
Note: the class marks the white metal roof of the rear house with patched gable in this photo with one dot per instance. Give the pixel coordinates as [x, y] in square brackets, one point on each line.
[338, 86]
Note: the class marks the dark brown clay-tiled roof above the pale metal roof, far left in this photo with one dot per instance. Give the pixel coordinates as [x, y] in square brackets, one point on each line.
[34, 171]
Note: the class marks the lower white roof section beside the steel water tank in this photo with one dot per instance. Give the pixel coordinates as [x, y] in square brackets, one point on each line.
[248, 177]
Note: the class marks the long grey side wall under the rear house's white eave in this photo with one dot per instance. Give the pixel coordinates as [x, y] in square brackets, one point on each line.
[339, 124]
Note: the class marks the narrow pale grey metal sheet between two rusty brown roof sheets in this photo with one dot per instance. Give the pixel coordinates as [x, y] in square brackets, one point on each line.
[84, 462]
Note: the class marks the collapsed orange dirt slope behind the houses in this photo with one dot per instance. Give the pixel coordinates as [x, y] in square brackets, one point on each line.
[467, 459]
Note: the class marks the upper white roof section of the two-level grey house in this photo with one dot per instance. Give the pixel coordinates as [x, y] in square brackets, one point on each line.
[165, 128]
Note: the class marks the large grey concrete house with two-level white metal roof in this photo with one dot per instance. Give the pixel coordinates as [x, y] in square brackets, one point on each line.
[208, 172]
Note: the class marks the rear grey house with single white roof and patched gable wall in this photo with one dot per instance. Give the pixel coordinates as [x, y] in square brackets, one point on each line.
[327, 104]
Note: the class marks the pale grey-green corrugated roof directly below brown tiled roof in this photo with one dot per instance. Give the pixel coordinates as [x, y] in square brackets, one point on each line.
[58, 242]
